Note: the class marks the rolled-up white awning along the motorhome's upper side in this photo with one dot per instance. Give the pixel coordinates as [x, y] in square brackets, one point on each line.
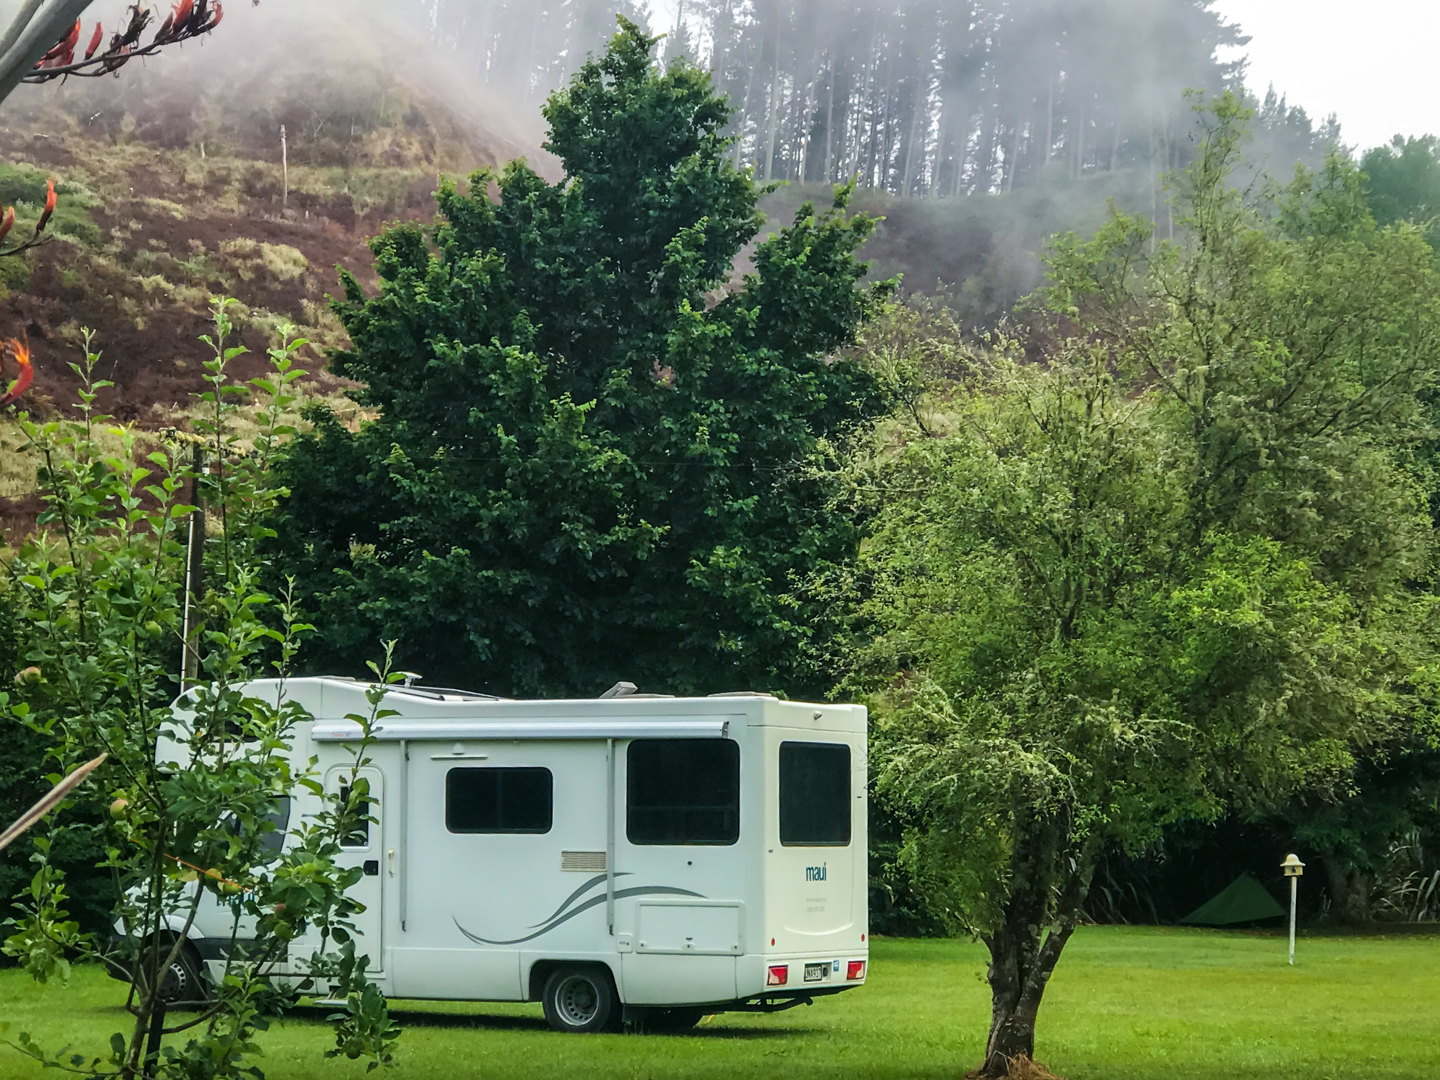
[460, 731]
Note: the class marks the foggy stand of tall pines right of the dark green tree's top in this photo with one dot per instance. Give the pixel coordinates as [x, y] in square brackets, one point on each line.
[948, 97]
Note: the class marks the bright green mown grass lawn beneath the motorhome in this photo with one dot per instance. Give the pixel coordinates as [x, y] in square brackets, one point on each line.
[1125, 1003]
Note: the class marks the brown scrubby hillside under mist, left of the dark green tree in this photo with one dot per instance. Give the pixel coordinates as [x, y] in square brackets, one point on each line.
[172, 192]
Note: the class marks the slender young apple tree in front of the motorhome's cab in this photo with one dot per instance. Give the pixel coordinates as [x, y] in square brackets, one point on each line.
[194, 798]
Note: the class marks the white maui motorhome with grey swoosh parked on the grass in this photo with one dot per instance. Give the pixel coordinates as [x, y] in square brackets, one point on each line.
[640, 856]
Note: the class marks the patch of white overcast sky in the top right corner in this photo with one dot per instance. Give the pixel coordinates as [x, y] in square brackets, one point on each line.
[1369, 61]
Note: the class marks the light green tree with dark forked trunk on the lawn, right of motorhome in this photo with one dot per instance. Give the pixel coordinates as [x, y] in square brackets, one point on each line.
[1164, 575]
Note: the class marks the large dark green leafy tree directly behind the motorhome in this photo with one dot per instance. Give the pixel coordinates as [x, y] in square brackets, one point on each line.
[590, 447]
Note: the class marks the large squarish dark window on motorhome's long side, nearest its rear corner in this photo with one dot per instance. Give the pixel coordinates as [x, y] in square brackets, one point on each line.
[683, 791]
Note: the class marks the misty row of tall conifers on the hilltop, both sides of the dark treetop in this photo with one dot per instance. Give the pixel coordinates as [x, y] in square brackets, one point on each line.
[918, 97]
